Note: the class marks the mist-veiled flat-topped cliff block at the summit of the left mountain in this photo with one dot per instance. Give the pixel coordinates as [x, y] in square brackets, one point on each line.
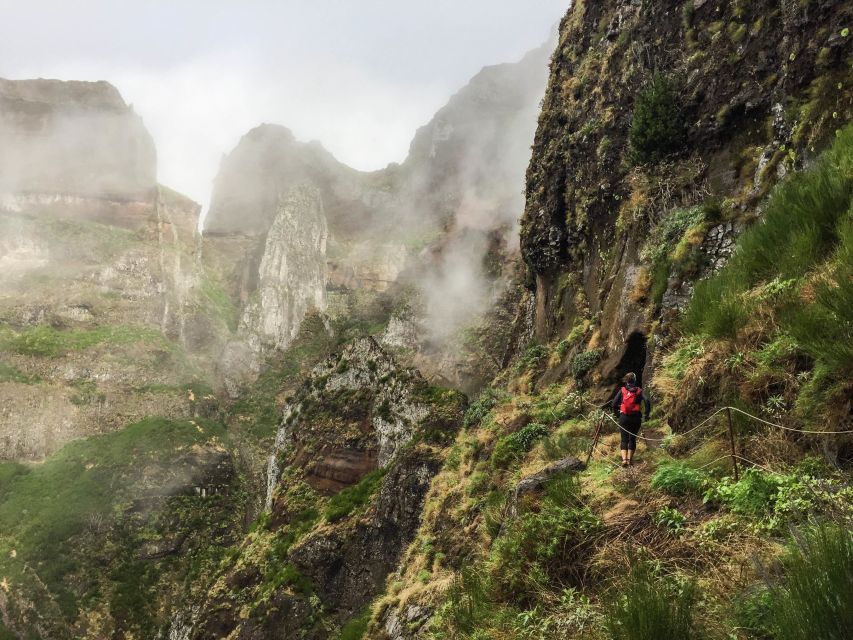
[73, 138]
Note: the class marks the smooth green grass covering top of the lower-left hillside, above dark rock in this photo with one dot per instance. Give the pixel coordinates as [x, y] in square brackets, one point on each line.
[44, 507]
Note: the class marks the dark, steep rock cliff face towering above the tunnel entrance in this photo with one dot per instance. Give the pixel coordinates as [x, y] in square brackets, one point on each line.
[593, 210]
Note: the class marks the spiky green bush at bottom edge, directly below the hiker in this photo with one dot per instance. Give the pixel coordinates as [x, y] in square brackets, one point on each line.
[653, 608]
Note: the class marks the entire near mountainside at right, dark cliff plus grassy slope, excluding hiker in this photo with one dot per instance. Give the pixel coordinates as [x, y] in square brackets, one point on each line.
[664, 134]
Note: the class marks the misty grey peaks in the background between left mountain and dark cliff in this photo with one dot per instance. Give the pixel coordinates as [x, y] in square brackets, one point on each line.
[441, 224]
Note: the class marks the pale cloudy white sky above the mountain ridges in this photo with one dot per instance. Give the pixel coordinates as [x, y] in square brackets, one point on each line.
[358, 75]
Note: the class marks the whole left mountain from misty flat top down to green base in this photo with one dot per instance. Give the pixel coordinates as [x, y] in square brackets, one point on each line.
[113, 484]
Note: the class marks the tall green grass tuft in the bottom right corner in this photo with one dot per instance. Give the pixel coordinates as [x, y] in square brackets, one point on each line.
[815, 599]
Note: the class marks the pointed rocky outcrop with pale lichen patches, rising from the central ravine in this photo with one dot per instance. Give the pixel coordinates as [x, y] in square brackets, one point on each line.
[352, 463]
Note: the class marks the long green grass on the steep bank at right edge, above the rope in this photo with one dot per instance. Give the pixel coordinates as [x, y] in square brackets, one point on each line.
[805, 220]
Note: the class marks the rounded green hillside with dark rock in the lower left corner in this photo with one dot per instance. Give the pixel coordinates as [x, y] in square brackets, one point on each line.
[97, 538]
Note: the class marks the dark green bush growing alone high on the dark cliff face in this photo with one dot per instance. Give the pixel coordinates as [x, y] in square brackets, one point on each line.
[657, 125]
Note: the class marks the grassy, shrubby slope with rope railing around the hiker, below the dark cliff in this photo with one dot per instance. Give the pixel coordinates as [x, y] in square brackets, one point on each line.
[520, 540]
